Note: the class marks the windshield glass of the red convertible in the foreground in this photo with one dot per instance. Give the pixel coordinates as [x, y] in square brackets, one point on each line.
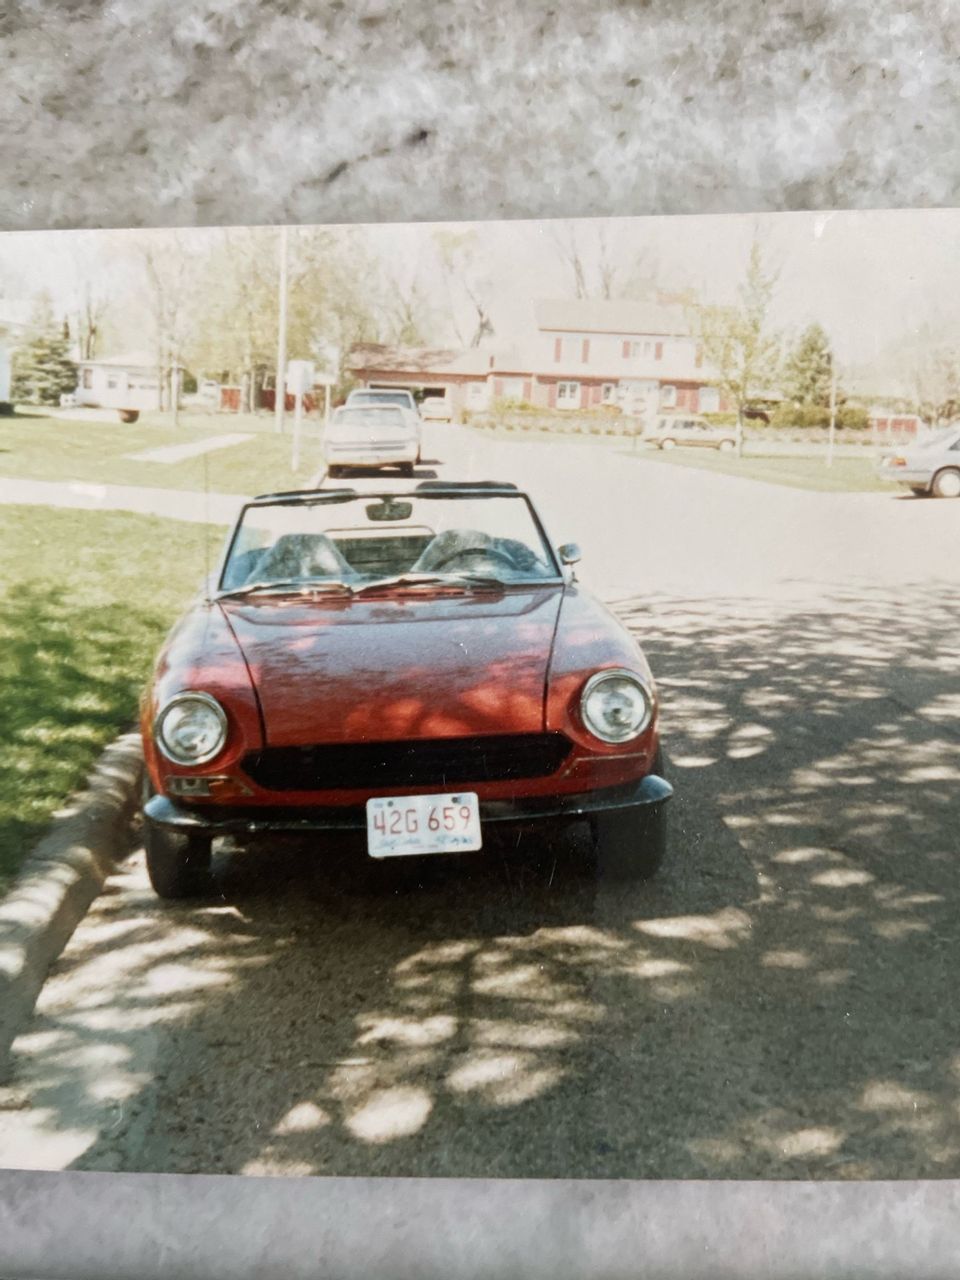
[419, 540]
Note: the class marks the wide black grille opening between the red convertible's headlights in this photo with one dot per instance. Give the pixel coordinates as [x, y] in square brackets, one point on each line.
[438, 762]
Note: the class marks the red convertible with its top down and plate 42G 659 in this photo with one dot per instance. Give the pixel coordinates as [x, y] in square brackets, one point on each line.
[417, 664]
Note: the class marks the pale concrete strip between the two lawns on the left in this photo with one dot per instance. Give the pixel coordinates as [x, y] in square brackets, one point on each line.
[202, 509]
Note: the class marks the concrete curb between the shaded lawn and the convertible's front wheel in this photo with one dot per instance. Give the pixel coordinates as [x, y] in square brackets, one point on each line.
[60, 881]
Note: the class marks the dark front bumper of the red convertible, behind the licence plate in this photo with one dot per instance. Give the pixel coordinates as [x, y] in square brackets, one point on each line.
[651, 794]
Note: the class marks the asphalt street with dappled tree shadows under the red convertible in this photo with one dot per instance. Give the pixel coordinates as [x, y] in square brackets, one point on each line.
[776, 1004]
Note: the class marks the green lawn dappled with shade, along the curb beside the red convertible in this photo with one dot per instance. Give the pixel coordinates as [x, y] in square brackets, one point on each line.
[86, 600]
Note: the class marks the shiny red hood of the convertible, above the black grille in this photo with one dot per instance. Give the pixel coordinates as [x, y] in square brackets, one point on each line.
[399, 668]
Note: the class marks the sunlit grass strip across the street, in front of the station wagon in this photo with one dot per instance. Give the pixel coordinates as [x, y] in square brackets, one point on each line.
[847, 476]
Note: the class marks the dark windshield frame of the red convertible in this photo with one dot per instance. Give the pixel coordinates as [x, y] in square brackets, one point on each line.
[428, 492]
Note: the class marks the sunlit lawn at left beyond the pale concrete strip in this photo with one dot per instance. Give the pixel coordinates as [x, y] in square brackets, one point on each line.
[51, 449]
